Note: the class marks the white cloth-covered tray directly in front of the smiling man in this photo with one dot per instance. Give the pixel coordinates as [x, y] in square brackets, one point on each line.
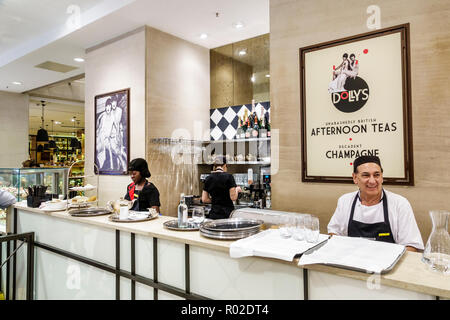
[359, 253]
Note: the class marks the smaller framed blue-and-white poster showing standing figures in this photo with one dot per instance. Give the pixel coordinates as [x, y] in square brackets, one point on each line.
[112, 130]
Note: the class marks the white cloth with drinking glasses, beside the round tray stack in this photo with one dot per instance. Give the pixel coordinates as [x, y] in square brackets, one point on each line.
[270, 244]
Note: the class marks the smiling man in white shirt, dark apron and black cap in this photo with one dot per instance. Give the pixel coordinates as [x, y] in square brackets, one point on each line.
[375, 213]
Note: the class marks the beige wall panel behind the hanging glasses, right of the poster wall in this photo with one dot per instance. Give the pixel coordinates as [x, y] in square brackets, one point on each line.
[177, 101]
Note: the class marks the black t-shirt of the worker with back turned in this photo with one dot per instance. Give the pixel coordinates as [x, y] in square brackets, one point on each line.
[218, 185]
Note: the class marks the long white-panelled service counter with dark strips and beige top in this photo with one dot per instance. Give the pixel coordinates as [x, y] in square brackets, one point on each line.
[95, 258]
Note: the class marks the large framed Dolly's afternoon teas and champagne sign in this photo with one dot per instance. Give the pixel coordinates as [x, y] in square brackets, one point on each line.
[356, 100]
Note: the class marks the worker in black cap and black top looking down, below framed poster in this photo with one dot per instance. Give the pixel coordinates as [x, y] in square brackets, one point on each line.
[145, 192]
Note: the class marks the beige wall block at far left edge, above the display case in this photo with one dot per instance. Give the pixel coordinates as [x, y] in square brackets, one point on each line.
[13, 129]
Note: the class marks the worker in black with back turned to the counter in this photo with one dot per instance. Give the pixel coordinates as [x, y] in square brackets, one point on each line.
[220, 190]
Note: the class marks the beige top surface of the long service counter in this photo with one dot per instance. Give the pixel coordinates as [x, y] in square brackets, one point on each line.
[410, 273]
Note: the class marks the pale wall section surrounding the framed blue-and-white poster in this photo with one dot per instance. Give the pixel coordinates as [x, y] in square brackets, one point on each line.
[116, 65]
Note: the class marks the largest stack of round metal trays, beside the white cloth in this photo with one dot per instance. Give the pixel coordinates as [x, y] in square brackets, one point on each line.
[230, 229]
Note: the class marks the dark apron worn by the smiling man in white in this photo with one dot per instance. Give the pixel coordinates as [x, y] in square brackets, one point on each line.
[380, 231]
